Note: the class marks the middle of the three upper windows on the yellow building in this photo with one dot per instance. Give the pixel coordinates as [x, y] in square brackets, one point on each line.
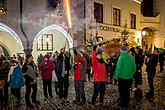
[116, 17]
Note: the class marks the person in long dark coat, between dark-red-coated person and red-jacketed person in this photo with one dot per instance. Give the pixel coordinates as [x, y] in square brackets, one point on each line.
[63, 61]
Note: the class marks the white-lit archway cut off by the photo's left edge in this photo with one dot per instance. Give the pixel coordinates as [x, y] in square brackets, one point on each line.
[10, 42]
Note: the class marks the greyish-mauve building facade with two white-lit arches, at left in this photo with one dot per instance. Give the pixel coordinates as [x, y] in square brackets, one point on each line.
[37, 26]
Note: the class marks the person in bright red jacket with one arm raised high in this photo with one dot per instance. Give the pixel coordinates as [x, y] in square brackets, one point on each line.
[100, 77]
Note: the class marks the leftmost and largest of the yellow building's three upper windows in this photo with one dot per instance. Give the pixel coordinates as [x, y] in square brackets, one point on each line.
[98, 12]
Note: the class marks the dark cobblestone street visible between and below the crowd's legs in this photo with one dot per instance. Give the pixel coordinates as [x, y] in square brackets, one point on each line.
[110, 102]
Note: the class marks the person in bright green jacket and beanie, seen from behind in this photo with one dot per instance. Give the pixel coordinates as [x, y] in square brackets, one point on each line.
[124, 73]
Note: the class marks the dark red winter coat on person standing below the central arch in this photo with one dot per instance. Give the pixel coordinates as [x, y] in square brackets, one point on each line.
[46, 69]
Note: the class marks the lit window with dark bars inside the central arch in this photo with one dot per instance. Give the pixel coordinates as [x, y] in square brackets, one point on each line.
[45, 42]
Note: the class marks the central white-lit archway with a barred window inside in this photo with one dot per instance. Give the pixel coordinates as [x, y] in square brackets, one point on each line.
[51, 39]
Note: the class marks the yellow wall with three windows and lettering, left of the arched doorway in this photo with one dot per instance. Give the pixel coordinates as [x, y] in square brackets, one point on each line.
[113, 17]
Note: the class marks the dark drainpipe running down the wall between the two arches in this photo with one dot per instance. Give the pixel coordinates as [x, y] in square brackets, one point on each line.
[27, 50]
